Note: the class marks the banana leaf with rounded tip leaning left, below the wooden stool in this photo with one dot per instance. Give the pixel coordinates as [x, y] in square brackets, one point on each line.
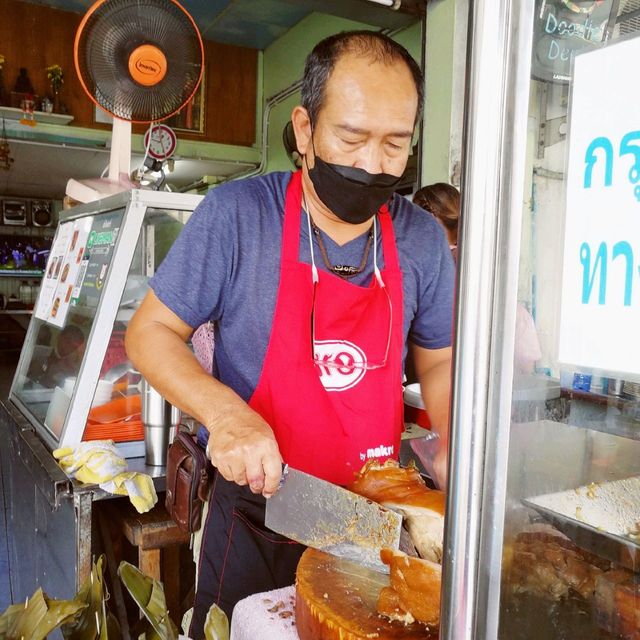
[149, 596]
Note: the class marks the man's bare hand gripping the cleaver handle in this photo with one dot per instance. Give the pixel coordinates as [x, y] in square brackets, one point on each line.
[244, 450]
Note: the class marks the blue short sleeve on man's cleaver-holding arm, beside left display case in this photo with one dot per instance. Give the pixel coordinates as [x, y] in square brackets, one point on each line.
[192, 279]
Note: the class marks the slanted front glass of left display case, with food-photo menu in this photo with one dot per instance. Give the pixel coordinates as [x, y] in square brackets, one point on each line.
[70, 293]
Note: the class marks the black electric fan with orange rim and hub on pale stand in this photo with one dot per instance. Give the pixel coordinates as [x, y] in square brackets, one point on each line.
[140, 61]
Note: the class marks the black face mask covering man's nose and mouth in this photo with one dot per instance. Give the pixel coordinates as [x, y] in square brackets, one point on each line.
[354, 195]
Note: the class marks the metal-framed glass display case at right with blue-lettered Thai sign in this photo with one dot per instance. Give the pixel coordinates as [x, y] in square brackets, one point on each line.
[543, 521]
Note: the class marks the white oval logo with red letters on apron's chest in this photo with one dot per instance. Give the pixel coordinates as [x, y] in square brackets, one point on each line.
[340, 364]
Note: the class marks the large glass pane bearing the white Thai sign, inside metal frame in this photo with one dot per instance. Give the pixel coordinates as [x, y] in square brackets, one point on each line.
[571, 564]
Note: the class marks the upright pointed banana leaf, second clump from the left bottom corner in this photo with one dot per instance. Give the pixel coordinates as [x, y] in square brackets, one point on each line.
[94, 616]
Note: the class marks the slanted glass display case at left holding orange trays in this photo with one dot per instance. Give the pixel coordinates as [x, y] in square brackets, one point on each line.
[74, 381]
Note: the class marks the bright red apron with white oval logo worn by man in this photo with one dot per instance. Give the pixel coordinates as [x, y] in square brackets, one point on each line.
[331, 416]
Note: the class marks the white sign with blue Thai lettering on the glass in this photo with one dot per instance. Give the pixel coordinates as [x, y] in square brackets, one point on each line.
[600, 309]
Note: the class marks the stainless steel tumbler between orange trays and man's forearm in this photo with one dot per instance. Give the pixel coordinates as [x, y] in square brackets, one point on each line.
[161, 420]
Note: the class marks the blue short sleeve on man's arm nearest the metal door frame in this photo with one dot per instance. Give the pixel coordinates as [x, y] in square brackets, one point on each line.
[432, 326]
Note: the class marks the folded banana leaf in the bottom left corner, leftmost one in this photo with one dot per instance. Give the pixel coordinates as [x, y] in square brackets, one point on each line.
[40, 615]
